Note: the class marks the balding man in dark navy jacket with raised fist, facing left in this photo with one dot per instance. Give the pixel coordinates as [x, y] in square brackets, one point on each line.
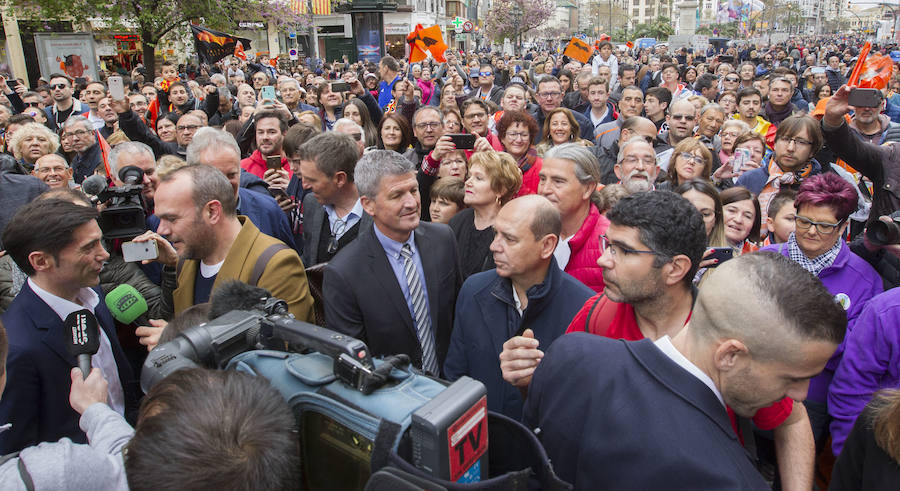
[527, 290]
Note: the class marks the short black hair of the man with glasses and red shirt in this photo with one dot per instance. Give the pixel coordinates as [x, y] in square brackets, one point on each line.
[668, 224]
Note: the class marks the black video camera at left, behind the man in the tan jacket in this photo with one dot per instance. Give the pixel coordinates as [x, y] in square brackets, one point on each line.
[124, 216]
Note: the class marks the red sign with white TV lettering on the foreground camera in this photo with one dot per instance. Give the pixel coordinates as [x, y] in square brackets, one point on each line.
[467, 439]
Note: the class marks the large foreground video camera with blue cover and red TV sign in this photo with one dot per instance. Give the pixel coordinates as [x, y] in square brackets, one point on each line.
[356, 414]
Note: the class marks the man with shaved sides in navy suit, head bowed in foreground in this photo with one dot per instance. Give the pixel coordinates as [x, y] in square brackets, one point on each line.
[634, 411]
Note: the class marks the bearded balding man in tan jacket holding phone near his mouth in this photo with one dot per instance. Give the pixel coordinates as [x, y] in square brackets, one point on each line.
[210, 244]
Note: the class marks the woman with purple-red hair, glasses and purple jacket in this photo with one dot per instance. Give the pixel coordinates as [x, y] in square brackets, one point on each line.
[824, 204]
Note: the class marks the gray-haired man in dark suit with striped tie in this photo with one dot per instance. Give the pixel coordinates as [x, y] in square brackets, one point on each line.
[394, 287]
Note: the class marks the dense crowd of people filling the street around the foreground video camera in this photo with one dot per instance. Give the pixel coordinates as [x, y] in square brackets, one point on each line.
[660, 262]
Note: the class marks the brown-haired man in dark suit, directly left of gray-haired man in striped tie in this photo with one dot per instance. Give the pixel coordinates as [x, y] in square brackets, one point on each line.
[332, 212]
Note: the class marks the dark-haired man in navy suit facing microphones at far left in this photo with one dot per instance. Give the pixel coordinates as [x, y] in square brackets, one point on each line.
[62, 258]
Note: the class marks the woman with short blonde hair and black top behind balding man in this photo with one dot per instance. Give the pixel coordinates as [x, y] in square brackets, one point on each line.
[494, 178]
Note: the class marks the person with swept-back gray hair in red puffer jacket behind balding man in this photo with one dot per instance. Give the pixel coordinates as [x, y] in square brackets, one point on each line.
[569, 178]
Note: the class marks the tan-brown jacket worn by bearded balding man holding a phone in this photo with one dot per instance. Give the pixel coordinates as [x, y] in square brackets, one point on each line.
[284, 276]
